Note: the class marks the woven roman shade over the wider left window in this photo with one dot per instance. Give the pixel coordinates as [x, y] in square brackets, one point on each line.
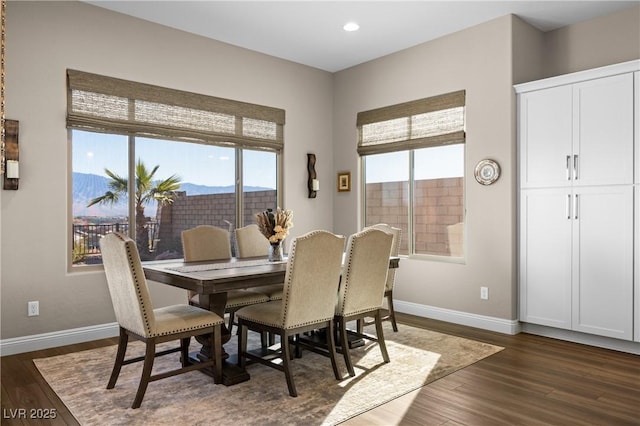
[111, 105]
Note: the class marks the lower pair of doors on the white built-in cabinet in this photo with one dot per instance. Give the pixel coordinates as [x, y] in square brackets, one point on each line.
[576, 259]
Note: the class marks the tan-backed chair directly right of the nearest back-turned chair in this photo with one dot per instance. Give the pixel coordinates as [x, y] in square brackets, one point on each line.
[362, 287]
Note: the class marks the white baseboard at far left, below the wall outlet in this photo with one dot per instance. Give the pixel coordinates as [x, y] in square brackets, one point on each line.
[54, 339]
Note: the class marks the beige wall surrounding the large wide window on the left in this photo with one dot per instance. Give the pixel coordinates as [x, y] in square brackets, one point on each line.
[43, 40]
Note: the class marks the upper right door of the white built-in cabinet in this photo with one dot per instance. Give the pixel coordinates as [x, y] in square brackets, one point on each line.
[603, 131]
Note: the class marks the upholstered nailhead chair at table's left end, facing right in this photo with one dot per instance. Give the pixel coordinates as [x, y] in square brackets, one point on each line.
[138, 319]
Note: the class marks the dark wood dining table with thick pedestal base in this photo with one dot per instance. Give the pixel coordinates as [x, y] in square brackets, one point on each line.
[211, 280]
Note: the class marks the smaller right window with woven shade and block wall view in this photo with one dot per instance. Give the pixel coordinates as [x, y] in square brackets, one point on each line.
[413, 162]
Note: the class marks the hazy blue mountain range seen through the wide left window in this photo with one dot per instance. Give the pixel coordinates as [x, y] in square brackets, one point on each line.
[86, 187]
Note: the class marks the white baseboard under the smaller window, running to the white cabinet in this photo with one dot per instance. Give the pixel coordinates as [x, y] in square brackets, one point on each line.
[499, 325]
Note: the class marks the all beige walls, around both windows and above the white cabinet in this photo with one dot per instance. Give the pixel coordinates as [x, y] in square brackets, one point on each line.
[43, 39]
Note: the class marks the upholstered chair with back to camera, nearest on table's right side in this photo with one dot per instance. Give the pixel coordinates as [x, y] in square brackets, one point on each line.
[309, 298]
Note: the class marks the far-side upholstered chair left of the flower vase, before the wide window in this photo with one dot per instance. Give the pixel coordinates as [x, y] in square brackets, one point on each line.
[206, 242]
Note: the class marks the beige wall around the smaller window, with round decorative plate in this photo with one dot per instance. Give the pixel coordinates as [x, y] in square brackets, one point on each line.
[477, 60]
